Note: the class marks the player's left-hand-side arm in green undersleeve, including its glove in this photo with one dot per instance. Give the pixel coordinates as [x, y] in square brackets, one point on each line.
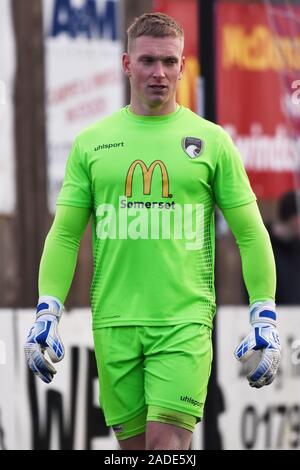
[55, 277]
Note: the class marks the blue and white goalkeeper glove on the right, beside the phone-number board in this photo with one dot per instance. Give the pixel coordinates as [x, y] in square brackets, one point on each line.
[265, 339]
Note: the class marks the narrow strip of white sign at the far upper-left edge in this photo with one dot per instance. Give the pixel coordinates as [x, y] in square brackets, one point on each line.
[7, 71]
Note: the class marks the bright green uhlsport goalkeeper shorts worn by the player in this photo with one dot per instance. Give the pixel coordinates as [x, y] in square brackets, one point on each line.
[154, 366]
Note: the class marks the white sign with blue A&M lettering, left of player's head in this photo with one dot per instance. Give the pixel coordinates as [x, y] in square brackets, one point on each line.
[83, 74]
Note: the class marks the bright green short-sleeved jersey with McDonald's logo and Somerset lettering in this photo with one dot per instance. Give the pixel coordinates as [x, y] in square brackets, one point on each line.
[152, 183]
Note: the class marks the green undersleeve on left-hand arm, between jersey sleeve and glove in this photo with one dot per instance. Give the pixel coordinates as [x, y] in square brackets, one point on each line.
[60, 251]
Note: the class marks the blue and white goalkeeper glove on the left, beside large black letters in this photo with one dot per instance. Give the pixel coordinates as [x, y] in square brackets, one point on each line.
[43, 336]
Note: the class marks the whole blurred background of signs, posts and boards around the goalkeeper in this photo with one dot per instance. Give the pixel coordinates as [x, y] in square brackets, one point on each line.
[60, 70]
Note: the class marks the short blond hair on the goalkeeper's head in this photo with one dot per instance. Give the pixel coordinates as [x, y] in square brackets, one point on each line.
[157, 25]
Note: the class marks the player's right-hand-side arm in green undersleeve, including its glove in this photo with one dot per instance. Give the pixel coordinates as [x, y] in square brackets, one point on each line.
[260, 279]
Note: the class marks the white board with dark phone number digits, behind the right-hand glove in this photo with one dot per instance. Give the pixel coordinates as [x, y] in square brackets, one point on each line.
[266, 418]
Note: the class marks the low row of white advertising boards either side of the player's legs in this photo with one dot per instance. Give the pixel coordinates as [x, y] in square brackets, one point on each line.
[66, 415]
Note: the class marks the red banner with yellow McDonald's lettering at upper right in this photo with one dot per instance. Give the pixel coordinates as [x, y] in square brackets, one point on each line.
[256, 65]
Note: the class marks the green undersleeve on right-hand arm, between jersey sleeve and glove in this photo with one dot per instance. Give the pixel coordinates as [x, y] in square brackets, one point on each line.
[256, 251]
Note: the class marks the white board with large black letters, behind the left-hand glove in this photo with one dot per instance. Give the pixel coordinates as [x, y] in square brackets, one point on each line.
[64, 414]
